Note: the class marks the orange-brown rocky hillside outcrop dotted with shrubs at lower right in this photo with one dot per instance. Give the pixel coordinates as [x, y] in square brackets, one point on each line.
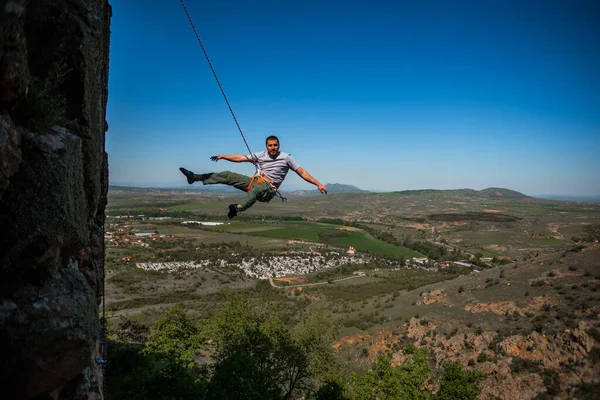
[513, 367]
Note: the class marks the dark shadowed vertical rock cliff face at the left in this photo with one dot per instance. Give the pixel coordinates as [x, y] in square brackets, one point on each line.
[53, 185]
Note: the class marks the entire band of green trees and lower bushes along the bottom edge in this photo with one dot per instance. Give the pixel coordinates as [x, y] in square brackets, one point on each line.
[246, 351]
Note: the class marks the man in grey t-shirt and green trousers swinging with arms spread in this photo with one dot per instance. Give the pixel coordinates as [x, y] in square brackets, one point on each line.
[274, 166]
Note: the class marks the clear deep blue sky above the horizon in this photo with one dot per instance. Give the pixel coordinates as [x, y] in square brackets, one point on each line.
[384, 95]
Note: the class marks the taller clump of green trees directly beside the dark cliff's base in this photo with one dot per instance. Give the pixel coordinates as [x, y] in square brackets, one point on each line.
[244, 350]
